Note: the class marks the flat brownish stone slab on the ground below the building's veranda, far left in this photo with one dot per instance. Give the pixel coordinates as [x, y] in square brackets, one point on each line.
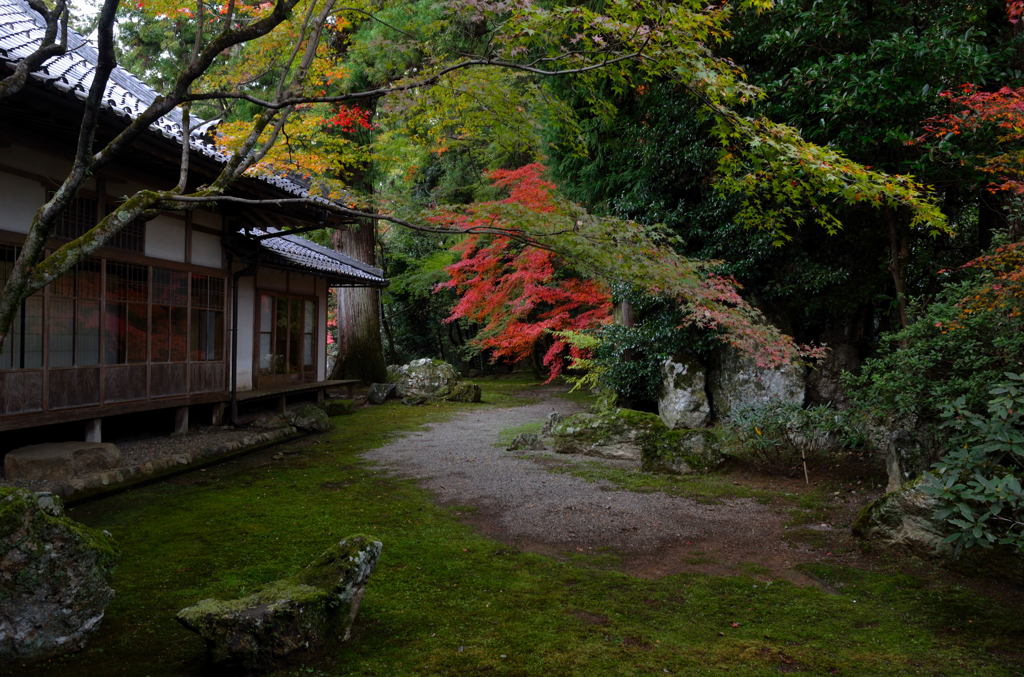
[61, 462]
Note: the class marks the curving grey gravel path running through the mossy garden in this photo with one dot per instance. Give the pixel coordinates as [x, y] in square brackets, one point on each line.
[520, 502]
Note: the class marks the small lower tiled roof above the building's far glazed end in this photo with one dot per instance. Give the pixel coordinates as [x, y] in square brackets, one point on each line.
[300, 252]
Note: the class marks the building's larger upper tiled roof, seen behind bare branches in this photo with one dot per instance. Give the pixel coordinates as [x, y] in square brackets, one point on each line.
[22, 30]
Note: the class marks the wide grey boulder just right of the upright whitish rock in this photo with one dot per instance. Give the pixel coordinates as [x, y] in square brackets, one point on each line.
[737, 382]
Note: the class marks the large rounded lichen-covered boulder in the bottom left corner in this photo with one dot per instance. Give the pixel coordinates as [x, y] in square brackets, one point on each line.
[55, 577]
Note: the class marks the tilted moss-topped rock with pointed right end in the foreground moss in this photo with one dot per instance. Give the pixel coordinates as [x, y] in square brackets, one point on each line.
[316, 607]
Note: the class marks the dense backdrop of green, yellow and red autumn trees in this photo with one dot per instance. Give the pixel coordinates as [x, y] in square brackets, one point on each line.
[889, 250]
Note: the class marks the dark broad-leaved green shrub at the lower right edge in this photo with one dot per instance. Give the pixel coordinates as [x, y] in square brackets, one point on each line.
[978, 484]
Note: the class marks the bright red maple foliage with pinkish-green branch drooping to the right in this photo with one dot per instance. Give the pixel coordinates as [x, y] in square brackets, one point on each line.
[521, 292]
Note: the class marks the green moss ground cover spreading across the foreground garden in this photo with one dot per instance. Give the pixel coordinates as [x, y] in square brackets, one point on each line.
[447, 602]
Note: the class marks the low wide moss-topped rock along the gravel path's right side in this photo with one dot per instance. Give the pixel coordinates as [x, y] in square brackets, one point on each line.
[631, 436]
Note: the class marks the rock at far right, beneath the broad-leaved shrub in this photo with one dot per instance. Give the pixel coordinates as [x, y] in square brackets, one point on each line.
[906, 518]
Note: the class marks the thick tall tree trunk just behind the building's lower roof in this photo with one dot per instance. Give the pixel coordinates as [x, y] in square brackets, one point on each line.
[361, 355]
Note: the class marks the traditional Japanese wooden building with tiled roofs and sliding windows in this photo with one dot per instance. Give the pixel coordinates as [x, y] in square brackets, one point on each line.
[195, 308]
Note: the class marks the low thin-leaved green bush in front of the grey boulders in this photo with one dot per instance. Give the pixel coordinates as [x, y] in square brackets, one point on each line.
[777, 437]
